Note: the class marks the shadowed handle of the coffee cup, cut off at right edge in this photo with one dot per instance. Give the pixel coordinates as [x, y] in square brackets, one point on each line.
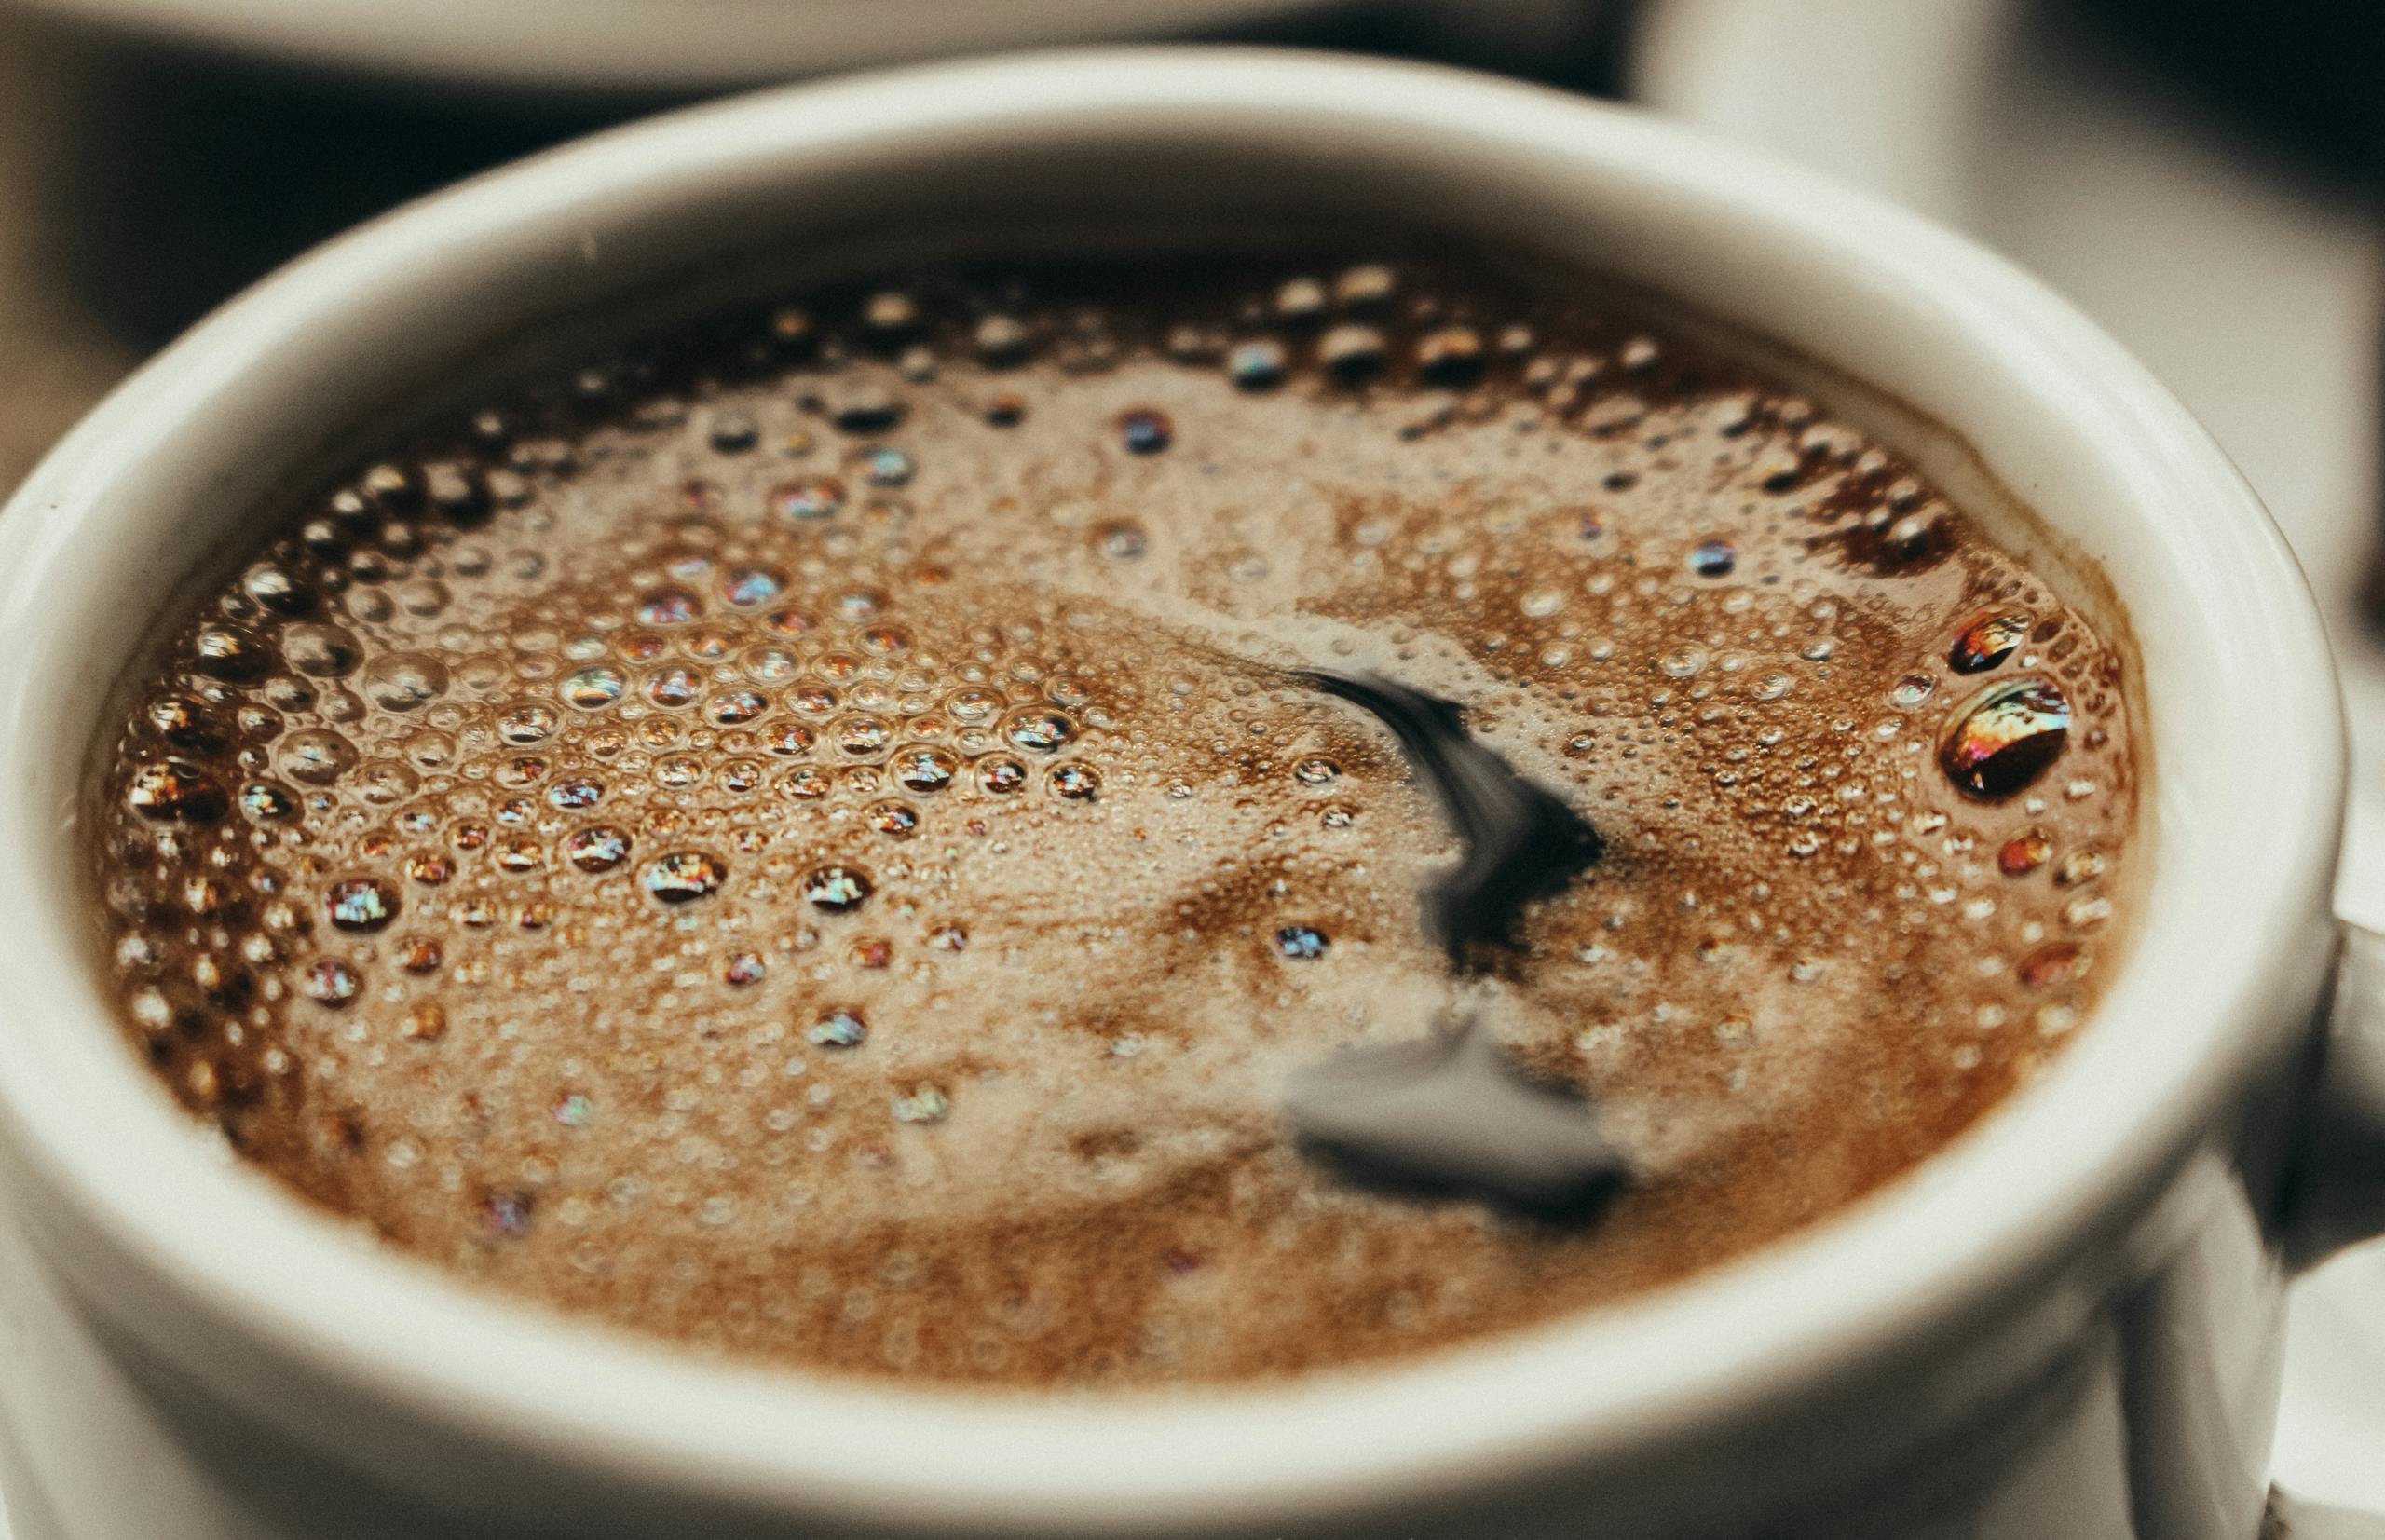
[2338, 1196]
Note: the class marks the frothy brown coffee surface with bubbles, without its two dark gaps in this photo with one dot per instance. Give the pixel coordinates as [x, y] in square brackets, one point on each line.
[819, 836]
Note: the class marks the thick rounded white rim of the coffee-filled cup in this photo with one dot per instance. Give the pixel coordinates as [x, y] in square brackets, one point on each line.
[106, 1155]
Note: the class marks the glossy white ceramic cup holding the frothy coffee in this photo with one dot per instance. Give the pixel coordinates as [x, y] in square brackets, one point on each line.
[2064, 1327]
